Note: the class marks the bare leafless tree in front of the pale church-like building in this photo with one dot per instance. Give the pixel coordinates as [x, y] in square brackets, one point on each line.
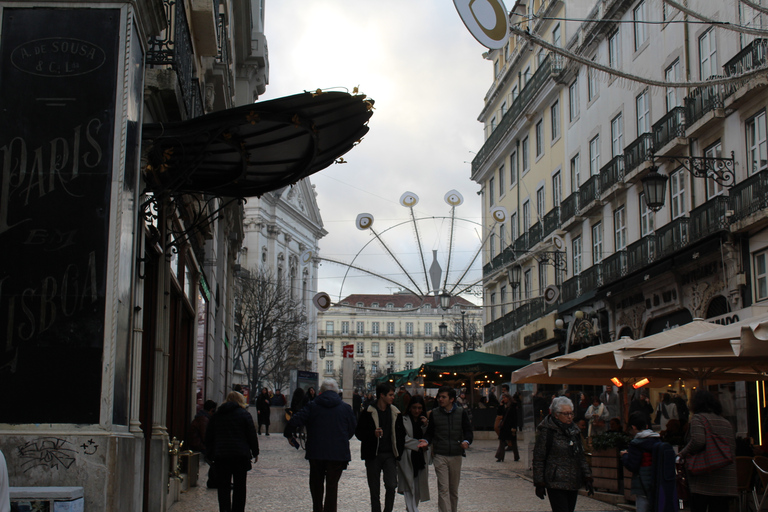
[269, 328]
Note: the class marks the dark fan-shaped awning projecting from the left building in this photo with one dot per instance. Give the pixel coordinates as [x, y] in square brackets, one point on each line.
[250, 150]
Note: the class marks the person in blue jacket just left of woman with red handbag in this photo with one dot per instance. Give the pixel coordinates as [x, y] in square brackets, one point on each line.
[638, 458]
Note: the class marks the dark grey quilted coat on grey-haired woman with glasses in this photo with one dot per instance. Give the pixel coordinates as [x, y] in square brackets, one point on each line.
[565, 466]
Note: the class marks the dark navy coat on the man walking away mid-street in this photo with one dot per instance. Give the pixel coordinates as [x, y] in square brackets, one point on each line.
[330, 425]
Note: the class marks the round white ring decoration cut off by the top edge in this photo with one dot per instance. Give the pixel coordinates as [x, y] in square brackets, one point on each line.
[486, 20]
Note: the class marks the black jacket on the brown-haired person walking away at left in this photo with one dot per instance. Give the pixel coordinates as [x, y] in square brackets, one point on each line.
[231, 435]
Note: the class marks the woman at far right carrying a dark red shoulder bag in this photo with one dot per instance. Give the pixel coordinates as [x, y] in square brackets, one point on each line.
[712, 491]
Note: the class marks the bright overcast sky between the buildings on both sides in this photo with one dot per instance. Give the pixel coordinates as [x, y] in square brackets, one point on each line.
[427, 76]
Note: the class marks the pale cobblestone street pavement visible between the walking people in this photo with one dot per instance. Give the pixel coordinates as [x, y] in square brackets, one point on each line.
[279, 482]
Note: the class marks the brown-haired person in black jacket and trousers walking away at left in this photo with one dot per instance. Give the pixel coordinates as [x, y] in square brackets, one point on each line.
[231, 442]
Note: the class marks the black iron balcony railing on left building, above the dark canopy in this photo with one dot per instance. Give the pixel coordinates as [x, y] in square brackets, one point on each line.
[174, 49]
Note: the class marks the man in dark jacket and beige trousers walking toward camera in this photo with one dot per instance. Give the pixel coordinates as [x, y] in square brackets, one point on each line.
[450, 433]
